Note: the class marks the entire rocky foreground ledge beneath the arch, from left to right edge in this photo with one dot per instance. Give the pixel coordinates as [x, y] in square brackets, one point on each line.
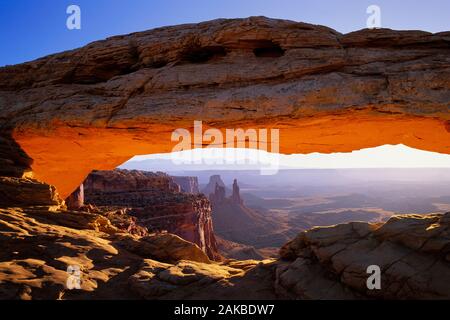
[327, 262]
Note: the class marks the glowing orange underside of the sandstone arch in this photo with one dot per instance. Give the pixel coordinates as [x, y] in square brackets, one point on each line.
[75, 152]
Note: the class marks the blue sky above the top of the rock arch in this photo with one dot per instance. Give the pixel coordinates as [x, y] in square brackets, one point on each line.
[30, 29]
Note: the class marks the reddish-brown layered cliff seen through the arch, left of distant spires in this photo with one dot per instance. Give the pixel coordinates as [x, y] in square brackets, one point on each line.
[157, 202]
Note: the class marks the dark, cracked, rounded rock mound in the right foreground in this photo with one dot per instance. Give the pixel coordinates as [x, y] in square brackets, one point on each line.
[331, 262]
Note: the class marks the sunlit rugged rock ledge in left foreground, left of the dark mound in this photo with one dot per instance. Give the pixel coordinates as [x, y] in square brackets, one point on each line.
[41, 245]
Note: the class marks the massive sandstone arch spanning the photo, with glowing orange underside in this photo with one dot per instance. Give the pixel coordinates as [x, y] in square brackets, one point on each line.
[98, 106]
